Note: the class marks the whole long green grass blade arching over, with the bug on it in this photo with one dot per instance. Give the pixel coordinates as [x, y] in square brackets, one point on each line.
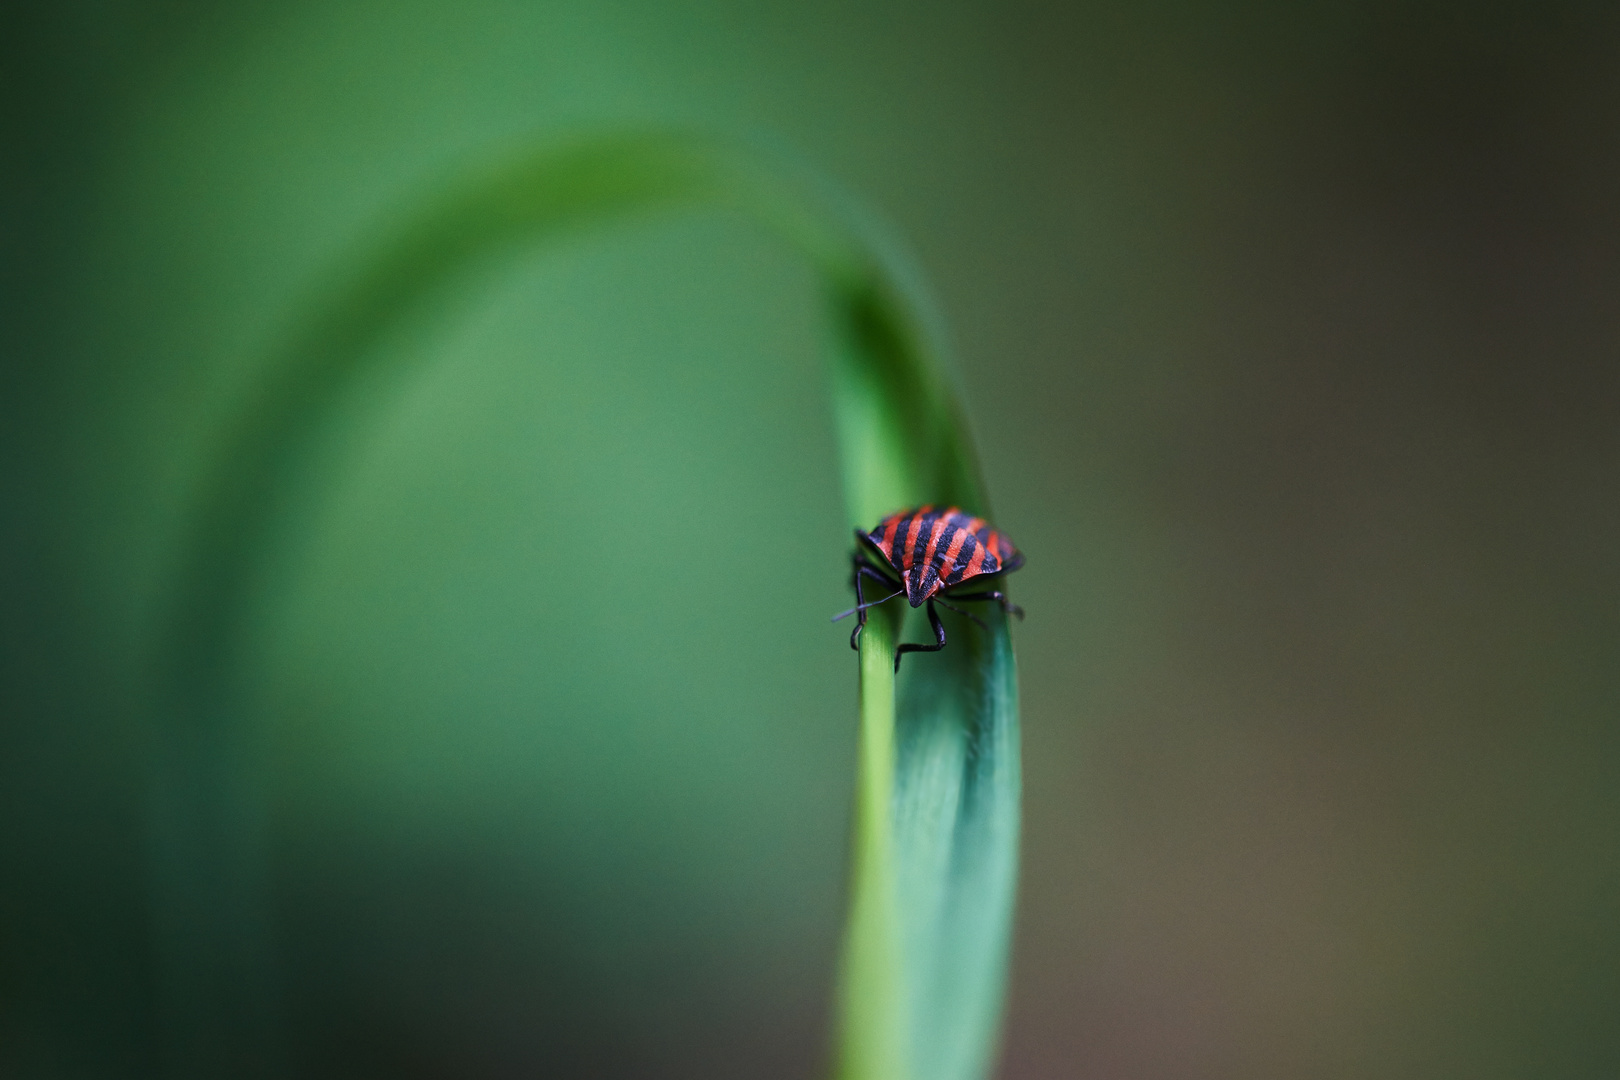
[937, 814]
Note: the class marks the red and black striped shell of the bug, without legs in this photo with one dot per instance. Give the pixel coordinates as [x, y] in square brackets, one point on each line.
[934, 550]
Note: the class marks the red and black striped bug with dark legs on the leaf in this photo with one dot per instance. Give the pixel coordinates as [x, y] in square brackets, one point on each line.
[923, 555]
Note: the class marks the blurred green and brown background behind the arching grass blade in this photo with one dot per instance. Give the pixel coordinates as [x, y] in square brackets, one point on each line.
[1290, 336]
